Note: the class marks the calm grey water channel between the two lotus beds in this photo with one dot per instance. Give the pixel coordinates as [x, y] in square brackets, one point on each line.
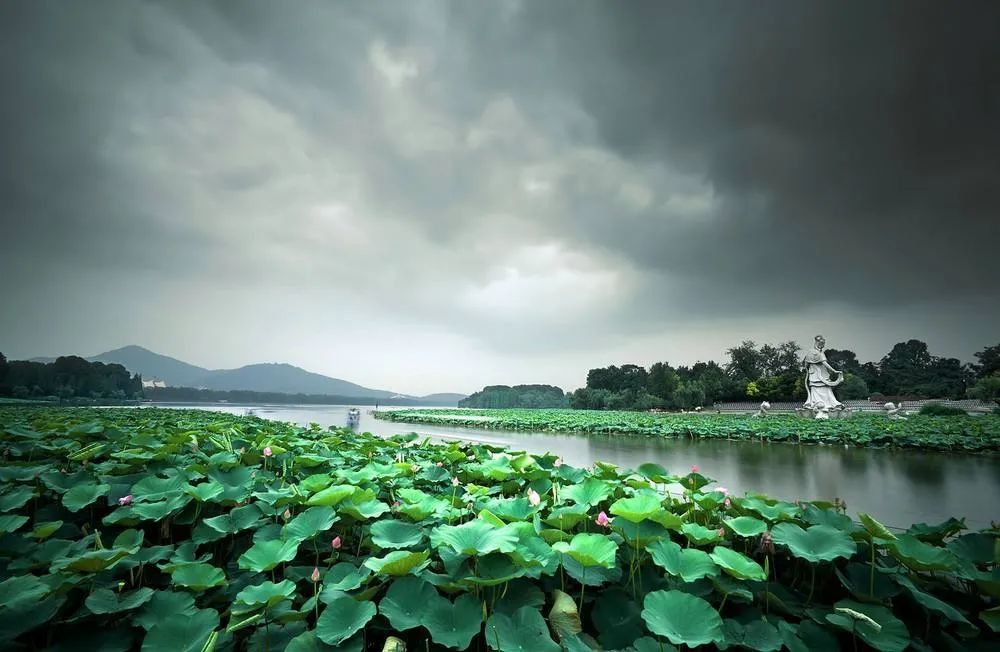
[897, 487]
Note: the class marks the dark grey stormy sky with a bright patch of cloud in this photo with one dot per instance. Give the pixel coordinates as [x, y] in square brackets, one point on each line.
[436, 196]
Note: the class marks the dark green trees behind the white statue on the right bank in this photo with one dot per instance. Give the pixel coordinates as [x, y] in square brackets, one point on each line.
[773, 373]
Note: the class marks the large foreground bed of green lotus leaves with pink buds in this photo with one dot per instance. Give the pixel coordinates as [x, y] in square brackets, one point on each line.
[184, 530]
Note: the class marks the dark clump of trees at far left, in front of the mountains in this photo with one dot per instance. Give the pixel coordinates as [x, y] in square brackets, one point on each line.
[67, 377]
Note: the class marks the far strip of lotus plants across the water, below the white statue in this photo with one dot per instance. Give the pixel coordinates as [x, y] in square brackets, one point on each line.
[953, 433]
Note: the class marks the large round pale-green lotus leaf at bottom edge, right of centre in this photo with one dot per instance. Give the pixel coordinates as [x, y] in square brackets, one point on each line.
[682, 618]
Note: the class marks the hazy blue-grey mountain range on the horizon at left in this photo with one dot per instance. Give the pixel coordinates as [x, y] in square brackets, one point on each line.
[264, 377]
